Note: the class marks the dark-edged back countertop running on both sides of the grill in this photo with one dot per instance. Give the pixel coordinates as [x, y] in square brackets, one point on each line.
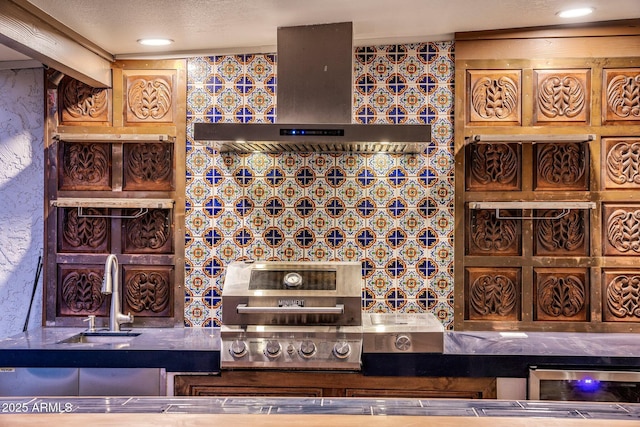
[466, 354]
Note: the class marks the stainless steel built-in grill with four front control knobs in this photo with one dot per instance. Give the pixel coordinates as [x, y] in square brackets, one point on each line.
[292, 315]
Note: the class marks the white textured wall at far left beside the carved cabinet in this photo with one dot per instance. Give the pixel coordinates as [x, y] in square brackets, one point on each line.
[21, 196]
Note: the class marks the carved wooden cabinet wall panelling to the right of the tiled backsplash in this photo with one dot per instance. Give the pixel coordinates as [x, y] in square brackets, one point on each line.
[547, 191]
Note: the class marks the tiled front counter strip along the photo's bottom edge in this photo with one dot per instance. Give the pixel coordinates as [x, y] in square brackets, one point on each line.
[476, 408]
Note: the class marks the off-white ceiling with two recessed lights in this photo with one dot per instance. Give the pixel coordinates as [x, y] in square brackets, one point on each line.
[201, 27]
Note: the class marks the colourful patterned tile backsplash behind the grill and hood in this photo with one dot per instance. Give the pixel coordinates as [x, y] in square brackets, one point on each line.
[392, 212]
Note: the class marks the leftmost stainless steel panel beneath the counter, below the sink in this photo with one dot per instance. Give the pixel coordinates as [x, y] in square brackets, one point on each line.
[38, 382]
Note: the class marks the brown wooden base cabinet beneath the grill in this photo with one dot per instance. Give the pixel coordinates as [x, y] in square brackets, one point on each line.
[327, 384]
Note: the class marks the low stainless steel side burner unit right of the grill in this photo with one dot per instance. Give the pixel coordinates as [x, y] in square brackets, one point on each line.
[402, 333]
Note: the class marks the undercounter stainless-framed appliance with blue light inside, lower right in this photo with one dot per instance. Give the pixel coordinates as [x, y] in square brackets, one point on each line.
[592, 386]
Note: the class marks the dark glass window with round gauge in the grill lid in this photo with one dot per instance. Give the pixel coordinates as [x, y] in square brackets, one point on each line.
[308, 280]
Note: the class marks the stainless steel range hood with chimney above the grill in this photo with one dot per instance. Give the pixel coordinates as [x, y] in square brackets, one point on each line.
[314, 107]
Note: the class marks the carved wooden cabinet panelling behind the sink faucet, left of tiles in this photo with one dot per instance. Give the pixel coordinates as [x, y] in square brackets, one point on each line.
[115, 185]
